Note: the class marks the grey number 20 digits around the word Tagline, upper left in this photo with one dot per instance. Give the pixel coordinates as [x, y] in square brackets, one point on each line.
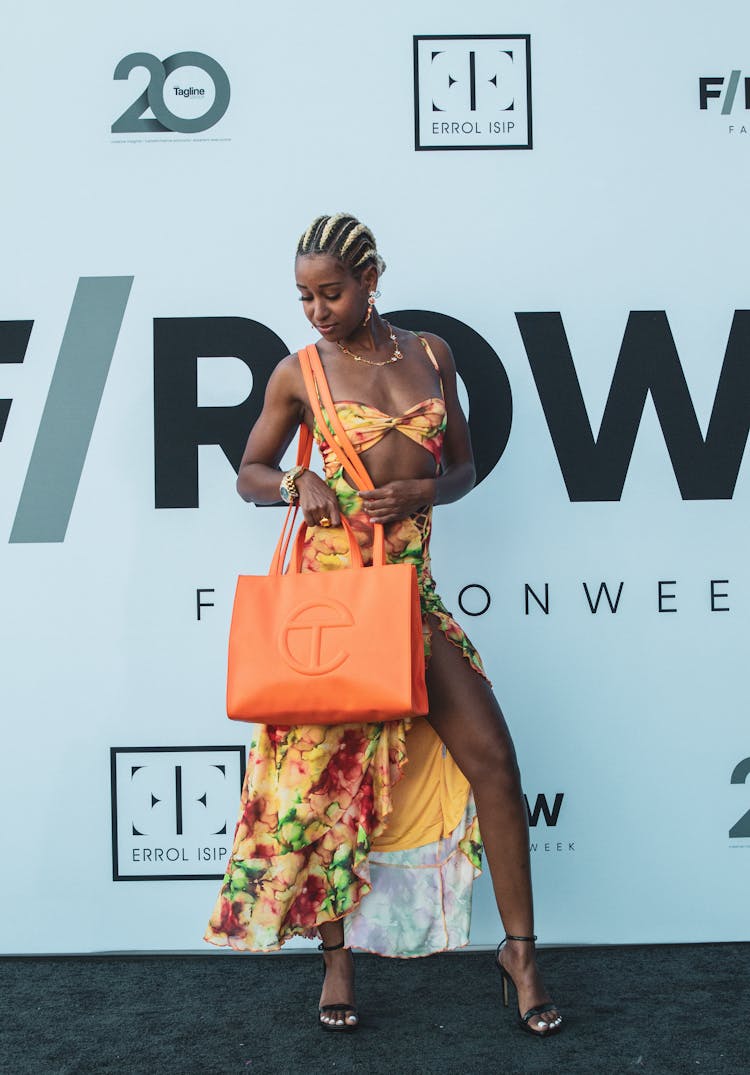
[153, 97]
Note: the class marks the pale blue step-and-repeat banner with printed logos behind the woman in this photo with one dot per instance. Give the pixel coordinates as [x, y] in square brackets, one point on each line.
[562, 195]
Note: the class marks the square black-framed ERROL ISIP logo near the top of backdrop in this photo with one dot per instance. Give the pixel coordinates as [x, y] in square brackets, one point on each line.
[472, 93]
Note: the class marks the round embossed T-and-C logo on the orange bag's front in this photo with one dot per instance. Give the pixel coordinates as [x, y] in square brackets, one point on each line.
[305, 642]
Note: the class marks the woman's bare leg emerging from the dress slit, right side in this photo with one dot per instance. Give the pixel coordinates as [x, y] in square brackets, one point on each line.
[465, 713]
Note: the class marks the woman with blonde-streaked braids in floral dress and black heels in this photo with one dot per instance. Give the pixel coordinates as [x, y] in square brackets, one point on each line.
[326, 815]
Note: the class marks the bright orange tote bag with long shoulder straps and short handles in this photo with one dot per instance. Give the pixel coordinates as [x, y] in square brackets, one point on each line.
[343, 647]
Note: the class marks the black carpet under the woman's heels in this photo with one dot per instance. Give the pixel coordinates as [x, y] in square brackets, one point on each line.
[657, 1010]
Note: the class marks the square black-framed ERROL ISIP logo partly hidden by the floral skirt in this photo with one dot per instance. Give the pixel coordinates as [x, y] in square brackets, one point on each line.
[174, 811]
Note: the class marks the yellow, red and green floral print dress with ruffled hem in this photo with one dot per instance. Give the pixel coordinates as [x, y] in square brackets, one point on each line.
[330, 827]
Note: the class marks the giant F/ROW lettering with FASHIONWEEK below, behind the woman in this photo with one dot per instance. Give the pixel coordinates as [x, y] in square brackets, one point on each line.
[594, 467]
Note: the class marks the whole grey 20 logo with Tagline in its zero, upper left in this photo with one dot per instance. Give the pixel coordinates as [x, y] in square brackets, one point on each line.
[187, 93]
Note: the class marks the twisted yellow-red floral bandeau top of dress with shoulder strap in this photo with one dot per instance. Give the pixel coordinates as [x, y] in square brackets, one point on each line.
[425, 423]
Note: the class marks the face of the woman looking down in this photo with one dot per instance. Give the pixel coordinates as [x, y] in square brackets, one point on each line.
[334, 300]
